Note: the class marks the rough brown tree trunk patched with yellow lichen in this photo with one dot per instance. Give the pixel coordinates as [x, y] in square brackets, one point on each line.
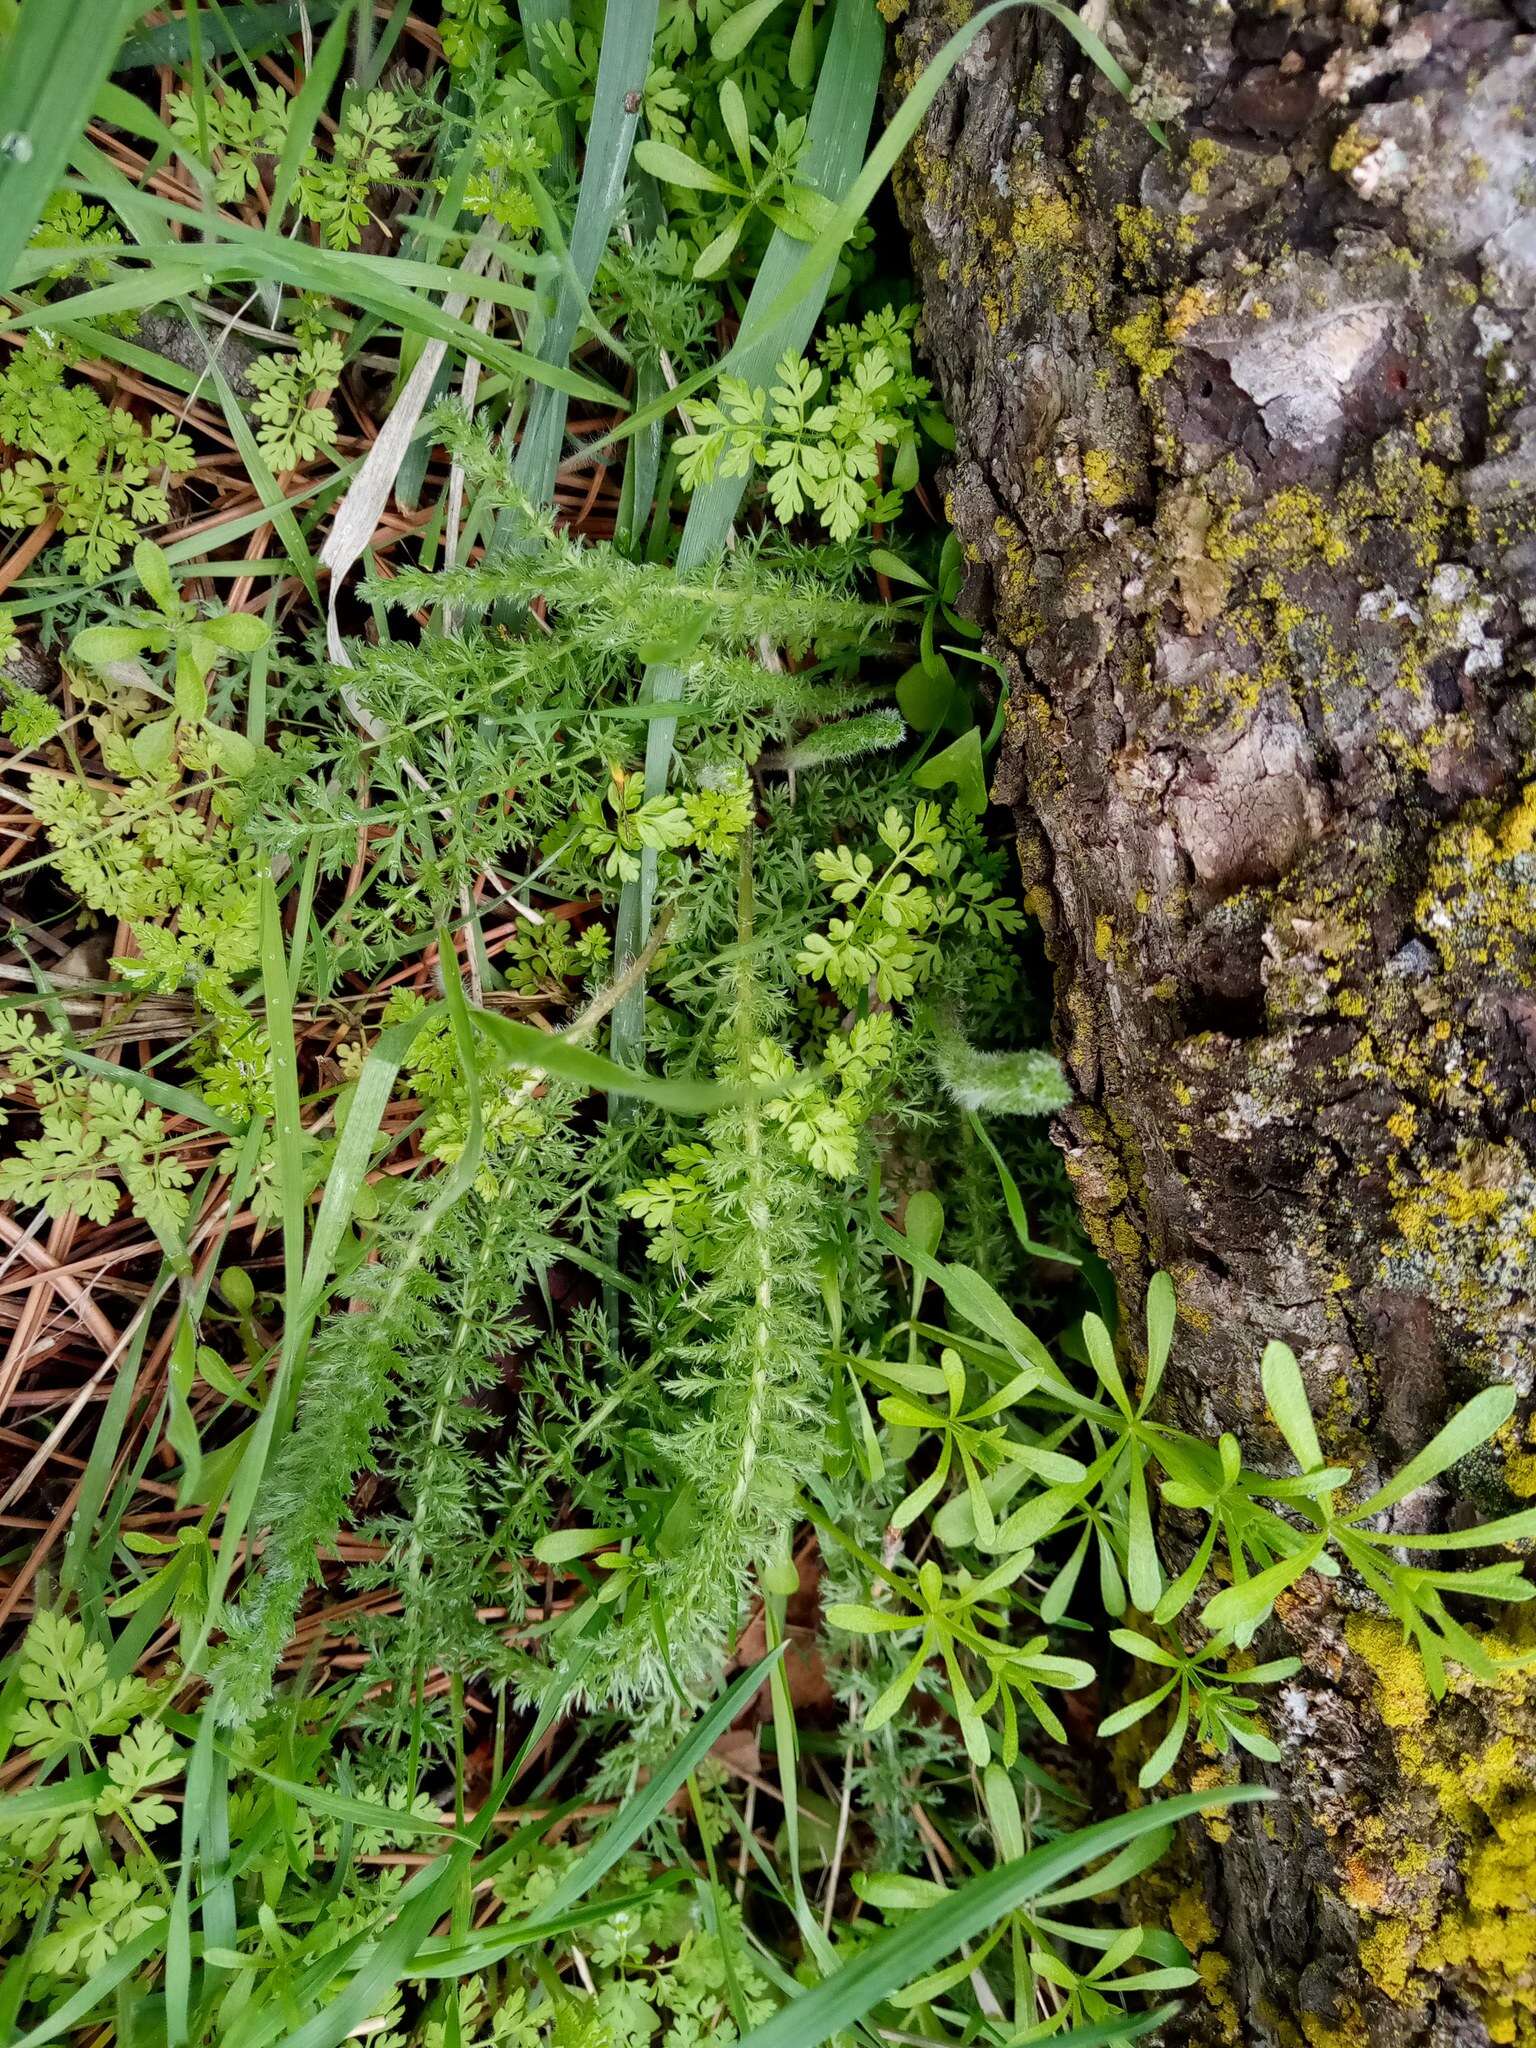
[1248, 480]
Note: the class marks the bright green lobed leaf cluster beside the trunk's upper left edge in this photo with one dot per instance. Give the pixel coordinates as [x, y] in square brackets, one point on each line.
[822, 433]
